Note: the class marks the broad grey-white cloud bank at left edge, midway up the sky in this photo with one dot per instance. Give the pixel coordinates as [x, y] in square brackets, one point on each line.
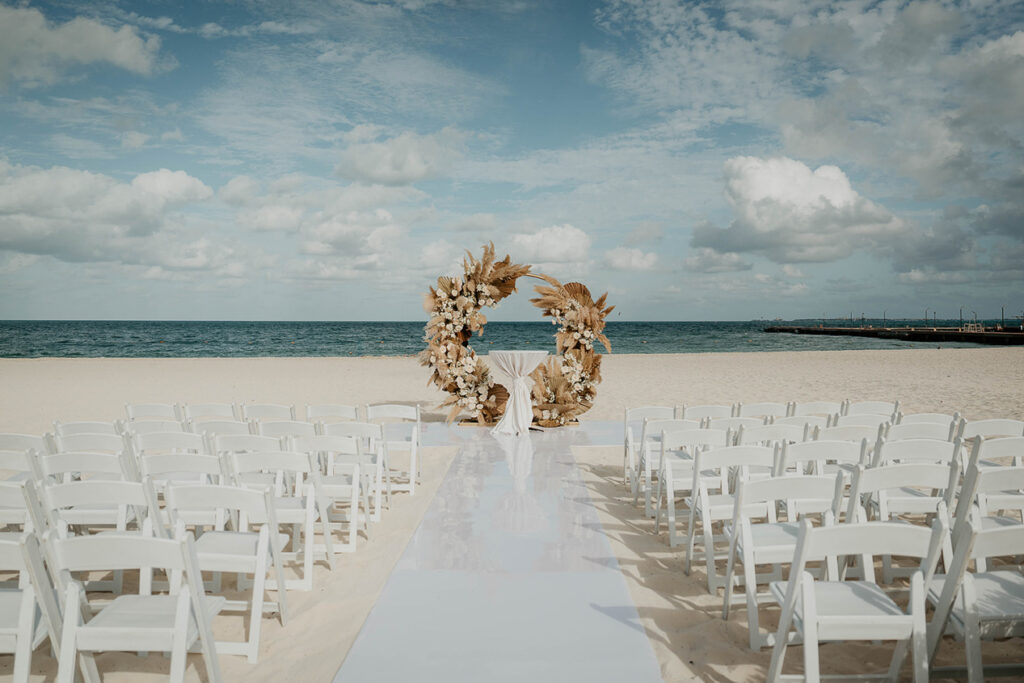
[81, 217]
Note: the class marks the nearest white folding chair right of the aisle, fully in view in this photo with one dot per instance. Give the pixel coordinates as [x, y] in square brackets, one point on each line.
[834, 610]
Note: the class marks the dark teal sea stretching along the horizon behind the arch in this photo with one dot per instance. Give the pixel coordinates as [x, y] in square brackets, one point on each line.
[28, 339]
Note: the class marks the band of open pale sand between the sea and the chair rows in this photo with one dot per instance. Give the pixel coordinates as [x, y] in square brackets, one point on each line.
[978, 382]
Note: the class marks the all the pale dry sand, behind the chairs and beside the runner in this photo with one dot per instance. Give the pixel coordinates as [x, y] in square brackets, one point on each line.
[682, 620]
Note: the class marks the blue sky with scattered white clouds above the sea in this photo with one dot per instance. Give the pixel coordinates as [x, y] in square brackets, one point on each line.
[330, 159]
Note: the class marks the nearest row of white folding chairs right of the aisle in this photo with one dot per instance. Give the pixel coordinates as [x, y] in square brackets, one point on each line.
[987, 605]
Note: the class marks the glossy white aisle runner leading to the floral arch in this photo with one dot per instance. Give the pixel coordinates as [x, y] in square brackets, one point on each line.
[509, 577]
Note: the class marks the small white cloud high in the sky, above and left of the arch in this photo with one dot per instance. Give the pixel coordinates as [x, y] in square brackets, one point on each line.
[403, 160]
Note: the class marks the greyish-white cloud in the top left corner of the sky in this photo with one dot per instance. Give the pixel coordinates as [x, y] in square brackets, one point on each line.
[35, 52]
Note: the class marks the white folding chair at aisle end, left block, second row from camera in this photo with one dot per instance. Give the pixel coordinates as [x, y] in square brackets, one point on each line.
[231, 545]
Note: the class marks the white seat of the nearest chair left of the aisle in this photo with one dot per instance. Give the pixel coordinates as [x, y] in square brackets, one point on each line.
[145, 618]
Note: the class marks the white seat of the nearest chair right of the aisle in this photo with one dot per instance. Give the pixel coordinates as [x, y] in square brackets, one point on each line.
[851, 611]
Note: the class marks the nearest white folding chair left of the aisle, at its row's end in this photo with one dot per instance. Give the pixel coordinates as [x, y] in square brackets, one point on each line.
[135, 623]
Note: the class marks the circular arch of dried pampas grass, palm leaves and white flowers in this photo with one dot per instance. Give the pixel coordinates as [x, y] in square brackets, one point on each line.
[566, 385]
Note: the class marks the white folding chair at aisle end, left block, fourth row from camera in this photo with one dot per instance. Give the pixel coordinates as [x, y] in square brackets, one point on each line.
[343, 482]
